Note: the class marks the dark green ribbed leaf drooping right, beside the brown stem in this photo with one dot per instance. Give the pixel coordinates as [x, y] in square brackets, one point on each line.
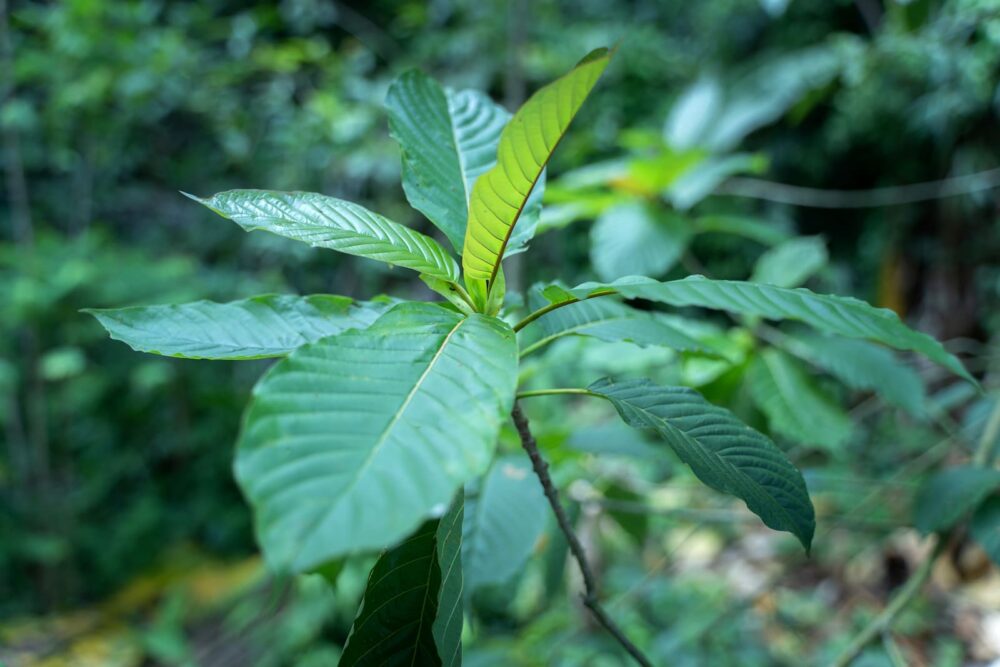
[724, 453]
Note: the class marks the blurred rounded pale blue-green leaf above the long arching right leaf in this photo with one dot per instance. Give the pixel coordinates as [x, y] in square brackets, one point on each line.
[631, 238]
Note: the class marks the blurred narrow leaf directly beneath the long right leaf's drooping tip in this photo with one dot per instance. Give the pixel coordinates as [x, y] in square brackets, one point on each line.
[862, 365]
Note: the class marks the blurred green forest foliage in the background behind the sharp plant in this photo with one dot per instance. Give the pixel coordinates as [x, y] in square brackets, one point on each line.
[114, 465]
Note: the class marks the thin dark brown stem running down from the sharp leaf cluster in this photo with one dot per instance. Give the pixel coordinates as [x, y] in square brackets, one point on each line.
[590, 600]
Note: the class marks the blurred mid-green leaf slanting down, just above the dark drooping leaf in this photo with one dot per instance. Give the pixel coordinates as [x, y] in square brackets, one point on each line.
[795, 407]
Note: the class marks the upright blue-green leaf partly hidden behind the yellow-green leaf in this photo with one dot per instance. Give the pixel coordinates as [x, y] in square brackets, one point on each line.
[448, 139]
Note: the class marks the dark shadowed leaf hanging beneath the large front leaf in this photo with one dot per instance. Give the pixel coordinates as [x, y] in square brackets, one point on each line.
[411, 612]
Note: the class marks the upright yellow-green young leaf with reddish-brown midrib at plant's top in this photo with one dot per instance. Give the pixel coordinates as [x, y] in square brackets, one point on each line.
[525, 147]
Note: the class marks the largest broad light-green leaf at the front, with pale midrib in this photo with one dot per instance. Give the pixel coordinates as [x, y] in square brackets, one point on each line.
[352, 441]
